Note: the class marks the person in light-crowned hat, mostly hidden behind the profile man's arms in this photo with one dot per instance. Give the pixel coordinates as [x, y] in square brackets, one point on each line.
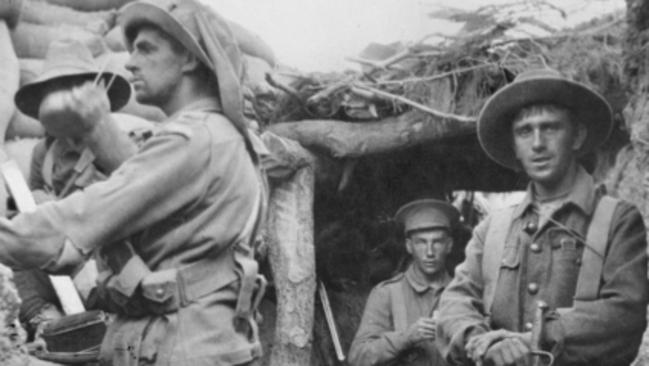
[62, 163]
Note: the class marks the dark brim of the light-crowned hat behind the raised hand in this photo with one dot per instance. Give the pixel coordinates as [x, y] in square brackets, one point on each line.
[29, 97]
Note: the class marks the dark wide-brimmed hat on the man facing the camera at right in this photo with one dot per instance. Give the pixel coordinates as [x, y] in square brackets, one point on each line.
[541, 86]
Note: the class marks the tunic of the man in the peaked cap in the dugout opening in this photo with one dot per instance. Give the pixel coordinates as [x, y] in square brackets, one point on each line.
[378, 341]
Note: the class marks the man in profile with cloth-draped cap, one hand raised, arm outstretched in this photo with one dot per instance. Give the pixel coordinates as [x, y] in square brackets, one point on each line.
[175, 223]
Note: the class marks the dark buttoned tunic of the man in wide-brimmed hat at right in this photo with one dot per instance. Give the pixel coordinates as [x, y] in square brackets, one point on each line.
[541, 261]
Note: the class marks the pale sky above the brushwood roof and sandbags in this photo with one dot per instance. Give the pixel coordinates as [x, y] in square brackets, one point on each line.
[318, 35]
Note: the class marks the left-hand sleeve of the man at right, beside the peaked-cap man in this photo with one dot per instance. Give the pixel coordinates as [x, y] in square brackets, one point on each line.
[461, 310]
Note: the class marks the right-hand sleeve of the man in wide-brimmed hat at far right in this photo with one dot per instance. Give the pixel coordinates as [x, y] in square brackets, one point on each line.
[607, 331]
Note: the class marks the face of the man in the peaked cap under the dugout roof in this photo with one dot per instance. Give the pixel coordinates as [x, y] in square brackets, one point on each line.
[429, 250]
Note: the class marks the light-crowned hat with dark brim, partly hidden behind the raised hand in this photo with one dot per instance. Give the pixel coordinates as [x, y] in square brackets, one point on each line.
[69, 60]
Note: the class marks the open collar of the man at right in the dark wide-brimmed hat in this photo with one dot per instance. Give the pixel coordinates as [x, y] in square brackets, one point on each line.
[582, 194]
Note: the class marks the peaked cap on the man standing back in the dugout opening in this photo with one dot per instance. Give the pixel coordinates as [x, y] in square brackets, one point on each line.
[427, 214]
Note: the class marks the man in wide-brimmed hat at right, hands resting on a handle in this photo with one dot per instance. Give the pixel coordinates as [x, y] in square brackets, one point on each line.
[567, 246]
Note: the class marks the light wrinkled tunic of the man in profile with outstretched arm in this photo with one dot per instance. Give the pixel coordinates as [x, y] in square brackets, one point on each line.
[184, 197]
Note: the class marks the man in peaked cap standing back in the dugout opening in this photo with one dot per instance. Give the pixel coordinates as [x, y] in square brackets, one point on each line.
[398, 325]
